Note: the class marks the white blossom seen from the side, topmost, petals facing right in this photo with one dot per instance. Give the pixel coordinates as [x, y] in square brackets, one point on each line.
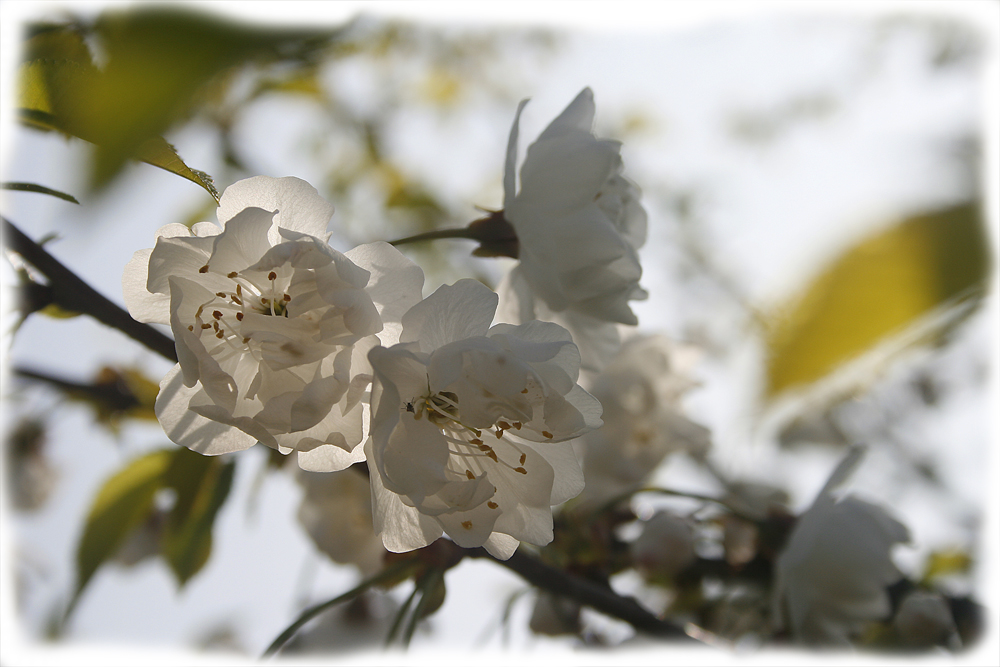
[579, 224]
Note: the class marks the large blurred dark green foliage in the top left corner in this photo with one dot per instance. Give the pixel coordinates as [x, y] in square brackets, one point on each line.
[160, 62]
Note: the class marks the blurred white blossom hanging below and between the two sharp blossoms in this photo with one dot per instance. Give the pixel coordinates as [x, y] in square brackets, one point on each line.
[336, 512]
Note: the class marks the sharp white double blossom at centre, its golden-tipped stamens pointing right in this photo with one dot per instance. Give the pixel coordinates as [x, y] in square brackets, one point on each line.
[469, 423]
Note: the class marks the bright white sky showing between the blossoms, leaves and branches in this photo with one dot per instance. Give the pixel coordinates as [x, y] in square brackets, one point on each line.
[690, 71]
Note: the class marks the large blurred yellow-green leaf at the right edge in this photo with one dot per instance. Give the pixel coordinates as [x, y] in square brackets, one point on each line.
[876, 290]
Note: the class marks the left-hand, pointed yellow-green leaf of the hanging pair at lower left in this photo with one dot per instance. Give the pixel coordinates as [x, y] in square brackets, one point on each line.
[121, 506]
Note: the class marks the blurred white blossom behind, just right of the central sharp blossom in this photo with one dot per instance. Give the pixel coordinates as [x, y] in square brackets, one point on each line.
[641, 391]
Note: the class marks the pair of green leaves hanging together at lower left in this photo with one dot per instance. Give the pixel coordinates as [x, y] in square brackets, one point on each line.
[199, 486]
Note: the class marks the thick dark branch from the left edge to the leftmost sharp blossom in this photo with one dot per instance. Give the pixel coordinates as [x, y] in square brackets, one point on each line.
[70, 292]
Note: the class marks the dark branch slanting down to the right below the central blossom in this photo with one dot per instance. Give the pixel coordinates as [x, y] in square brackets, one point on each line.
[589, 593]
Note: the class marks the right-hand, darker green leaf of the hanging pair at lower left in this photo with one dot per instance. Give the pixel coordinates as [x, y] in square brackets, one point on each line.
[202, 484]
